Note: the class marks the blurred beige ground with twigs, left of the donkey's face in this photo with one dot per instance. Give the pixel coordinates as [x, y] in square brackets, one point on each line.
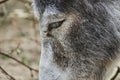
[19, 41]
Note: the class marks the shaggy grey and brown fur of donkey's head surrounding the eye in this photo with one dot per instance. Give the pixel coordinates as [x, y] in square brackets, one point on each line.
[87, 43]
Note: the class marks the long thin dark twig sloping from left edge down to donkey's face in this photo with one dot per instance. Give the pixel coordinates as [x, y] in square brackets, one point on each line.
[4, 54]
